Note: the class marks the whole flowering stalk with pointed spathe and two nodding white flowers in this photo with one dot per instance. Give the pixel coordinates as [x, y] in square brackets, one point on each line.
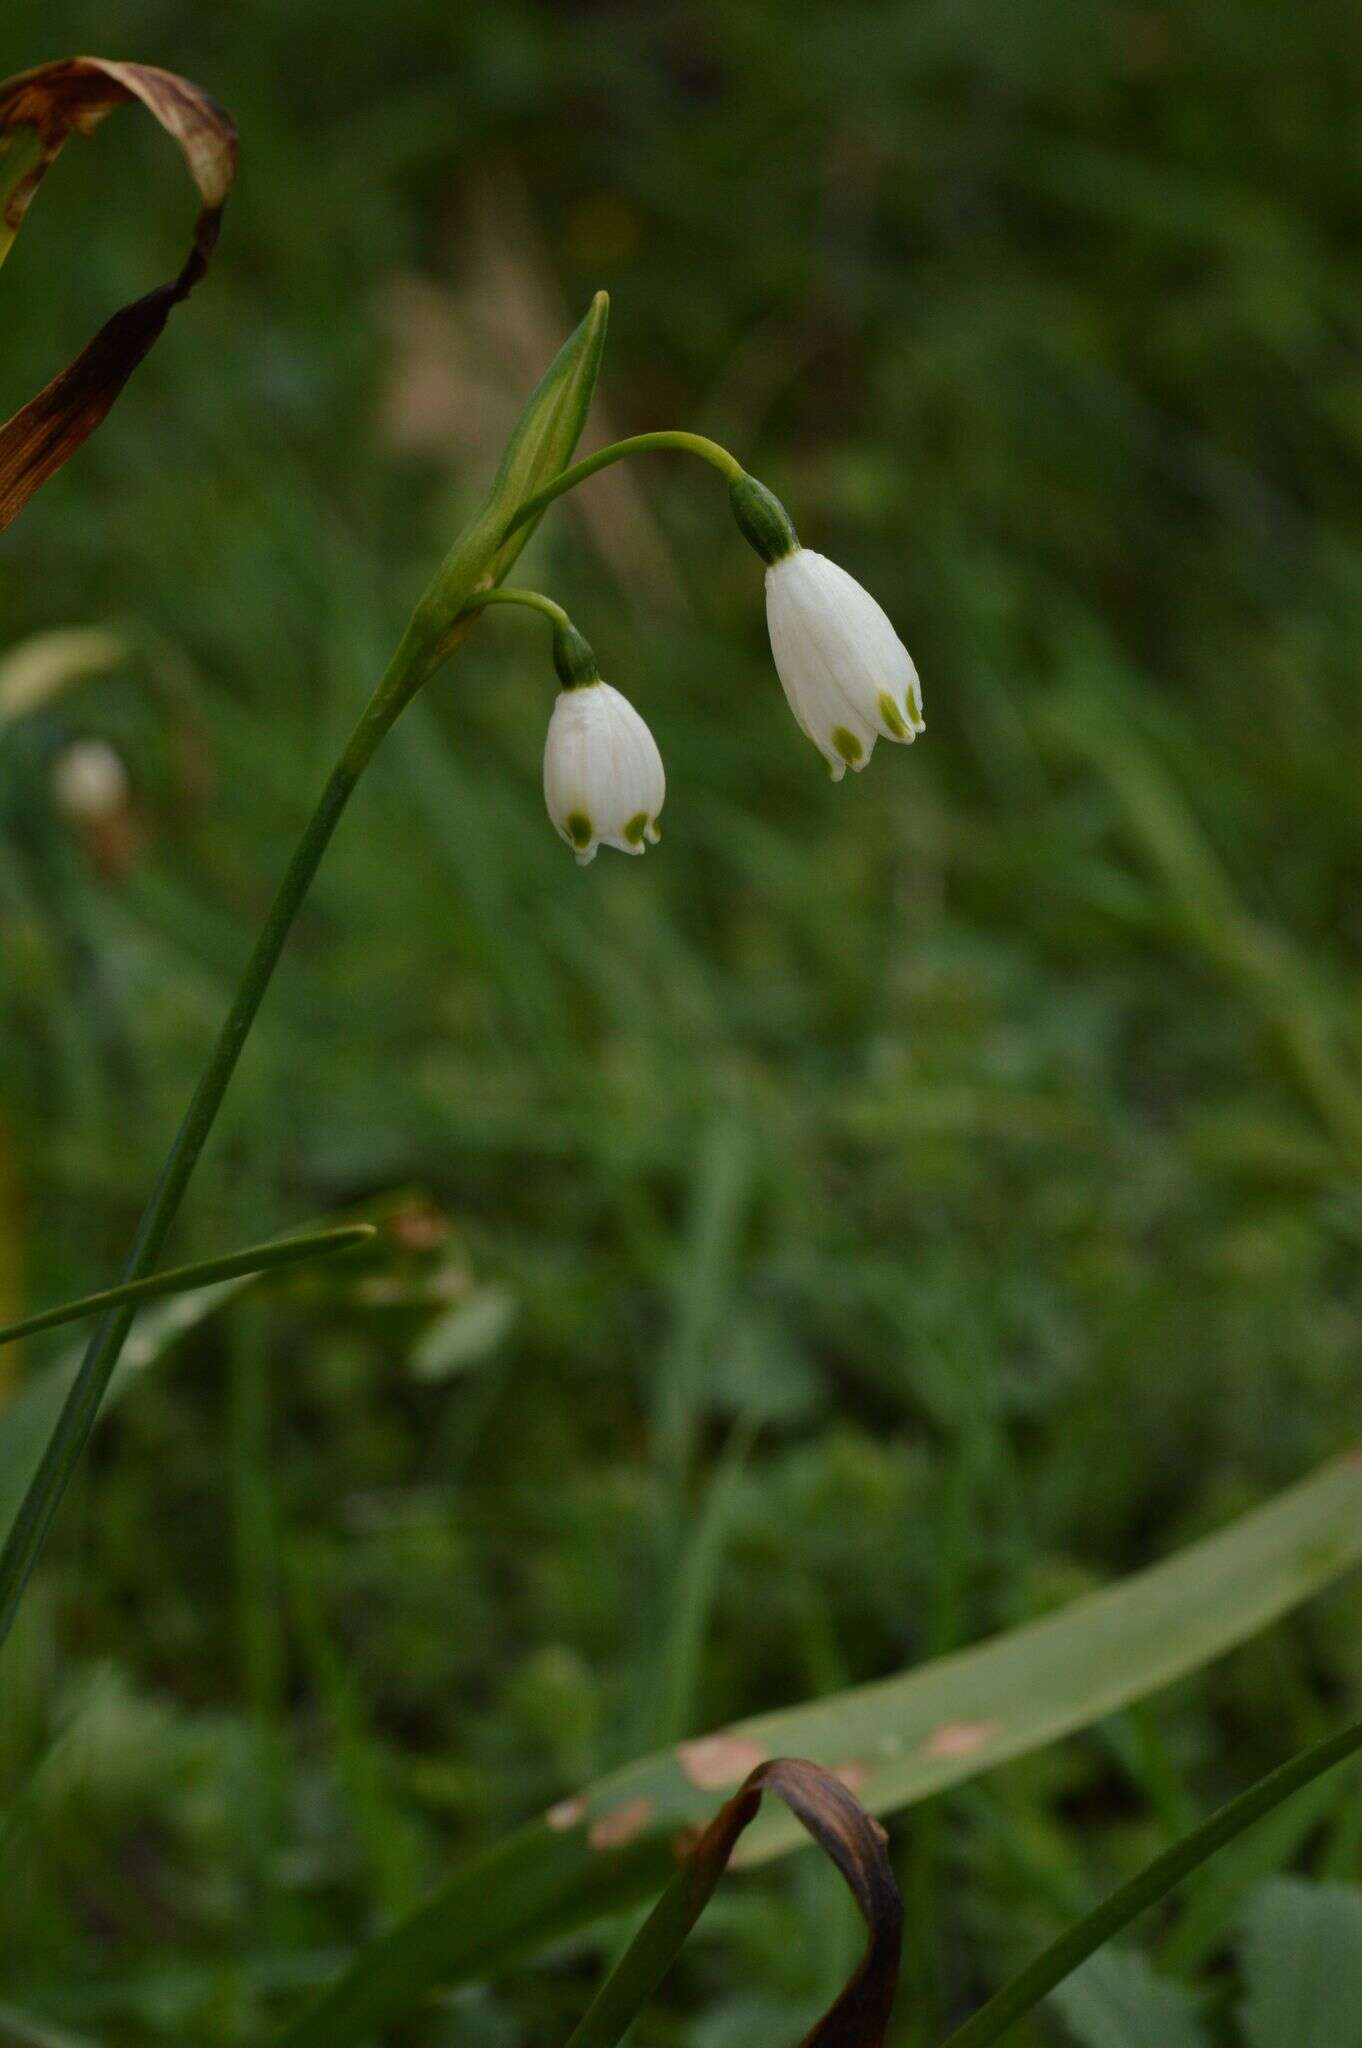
[845, 673]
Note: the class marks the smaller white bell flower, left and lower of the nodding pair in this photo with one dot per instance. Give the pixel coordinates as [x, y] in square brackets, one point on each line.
[603, 773]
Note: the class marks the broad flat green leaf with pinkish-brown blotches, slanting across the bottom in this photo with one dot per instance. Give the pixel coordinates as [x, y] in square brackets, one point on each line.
[896, 1742]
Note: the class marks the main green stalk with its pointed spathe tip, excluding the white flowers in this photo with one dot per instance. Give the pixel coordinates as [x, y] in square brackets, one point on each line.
[480, 558]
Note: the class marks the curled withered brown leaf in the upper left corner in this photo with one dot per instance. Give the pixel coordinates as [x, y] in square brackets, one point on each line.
[42, 110]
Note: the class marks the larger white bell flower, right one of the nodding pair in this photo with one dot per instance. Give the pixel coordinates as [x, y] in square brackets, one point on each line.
[845, 671]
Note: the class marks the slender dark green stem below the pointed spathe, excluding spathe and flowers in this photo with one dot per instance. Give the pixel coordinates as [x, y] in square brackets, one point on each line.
[411, 667]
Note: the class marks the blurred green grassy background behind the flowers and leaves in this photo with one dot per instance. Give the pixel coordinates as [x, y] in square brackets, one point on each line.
[970, 1152]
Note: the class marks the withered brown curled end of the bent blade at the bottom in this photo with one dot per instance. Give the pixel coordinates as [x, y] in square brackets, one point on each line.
[859, 1848]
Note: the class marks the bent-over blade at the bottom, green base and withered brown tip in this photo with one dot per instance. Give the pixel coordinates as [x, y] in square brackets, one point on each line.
[857, 1846]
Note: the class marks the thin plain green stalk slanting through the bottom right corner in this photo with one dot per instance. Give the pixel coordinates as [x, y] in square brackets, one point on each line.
[1160, 1877]
